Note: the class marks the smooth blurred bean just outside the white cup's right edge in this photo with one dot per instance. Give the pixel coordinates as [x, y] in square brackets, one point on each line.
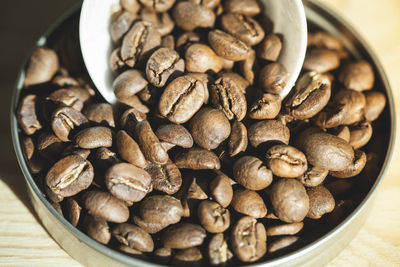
[321, 60]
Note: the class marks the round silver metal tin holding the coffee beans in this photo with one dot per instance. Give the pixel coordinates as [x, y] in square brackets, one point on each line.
[316, 251]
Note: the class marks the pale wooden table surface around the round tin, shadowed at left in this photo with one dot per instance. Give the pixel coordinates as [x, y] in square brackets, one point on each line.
[24, 242]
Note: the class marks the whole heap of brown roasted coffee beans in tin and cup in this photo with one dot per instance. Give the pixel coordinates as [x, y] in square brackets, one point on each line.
[201, 160]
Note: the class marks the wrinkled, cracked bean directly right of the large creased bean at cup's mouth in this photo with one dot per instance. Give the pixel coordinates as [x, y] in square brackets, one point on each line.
[227, 94]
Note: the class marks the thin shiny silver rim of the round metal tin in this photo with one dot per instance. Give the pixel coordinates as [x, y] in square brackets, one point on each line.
[123, 258]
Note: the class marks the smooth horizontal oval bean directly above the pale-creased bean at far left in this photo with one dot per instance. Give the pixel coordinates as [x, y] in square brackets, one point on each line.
[94, 137]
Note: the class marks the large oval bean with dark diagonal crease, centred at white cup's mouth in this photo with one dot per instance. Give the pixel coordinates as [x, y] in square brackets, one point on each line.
[182, 98]
